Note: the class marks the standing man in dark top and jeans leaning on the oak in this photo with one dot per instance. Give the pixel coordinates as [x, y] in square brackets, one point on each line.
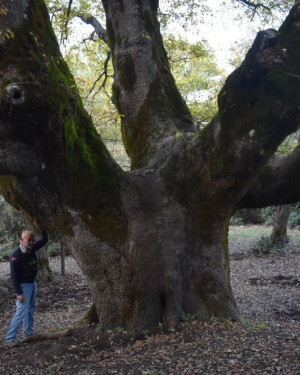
[23, 272]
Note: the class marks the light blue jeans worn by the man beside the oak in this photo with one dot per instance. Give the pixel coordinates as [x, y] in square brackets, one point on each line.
[24, 313]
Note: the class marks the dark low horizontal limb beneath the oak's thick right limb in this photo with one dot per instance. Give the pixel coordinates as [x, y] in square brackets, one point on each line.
[278, 183]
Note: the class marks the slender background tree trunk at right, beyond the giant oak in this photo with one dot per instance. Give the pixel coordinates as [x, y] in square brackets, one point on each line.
[278, 235]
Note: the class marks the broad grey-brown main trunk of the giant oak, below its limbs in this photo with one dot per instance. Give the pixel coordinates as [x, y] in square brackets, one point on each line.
[166, 265]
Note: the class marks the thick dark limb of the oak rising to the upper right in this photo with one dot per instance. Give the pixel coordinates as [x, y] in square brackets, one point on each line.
[258, 108]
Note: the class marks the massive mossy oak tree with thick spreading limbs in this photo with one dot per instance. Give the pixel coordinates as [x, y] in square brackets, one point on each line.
[152, 242]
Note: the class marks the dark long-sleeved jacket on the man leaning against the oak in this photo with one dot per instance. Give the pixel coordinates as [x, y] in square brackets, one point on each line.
[23, 266]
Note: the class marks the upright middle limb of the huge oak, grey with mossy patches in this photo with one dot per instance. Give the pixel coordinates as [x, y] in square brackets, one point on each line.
[144, 90]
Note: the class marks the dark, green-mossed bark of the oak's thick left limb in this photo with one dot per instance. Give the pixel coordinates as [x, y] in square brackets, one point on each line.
[77, 168]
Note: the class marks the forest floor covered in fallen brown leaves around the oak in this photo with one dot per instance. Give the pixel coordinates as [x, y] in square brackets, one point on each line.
[267, 290]
